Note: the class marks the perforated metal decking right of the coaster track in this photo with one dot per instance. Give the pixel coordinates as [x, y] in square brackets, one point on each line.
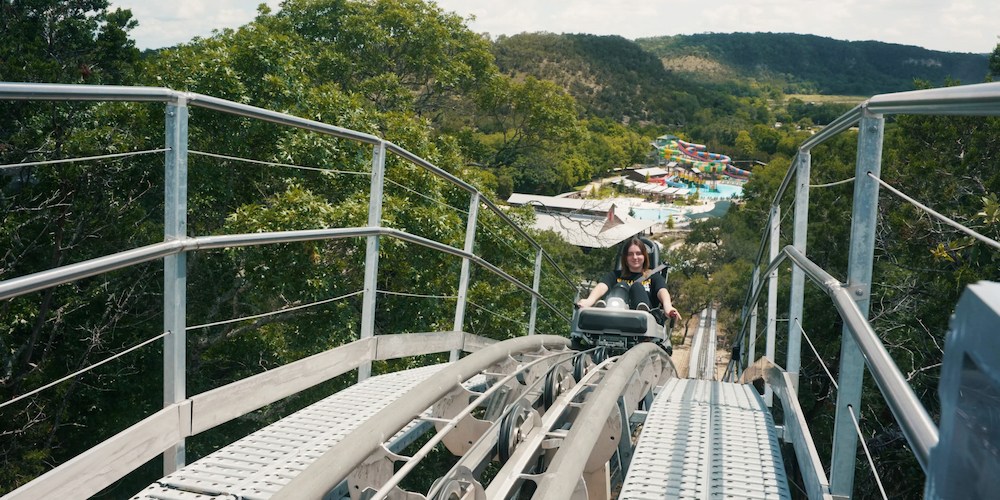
[706, 439]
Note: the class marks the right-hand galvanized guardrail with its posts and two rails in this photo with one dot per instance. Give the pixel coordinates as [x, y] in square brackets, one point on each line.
[966, 100]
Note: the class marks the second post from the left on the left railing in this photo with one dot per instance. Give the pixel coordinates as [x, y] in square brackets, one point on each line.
[371, 252]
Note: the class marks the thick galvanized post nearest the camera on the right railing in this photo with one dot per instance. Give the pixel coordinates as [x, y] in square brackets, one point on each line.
[859, 275]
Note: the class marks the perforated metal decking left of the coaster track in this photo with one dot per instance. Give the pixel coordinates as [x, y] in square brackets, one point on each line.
[258, 465]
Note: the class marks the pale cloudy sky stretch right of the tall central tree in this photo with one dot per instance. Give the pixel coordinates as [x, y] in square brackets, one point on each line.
[959, 26]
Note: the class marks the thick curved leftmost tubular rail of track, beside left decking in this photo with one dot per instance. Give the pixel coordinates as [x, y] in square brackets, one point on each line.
[334, 465]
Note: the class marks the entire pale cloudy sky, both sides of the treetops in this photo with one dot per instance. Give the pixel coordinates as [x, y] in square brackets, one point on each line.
[951, 26]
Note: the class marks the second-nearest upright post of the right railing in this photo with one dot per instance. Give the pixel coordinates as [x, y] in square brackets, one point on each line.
[799, 237]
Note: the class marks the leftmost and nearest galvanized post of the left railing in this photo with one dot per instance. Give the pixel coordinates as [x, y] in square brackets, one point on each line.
[175, 269]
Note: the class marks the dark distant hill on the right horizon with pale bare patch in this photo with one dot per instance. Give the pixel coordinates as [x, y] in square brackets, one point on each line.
[813, 64]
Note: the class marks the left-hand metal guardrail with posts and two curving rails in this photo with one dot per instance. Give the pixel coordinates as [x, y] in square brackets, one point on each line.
[176, 243]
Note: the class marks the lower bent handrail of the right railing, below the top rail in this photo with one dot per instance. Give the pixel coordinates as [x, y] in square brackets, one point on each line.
[916, 423]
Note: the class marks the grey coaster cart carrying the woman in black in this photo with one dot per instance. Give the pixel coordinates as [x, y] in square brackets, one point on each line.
[615, 328]
